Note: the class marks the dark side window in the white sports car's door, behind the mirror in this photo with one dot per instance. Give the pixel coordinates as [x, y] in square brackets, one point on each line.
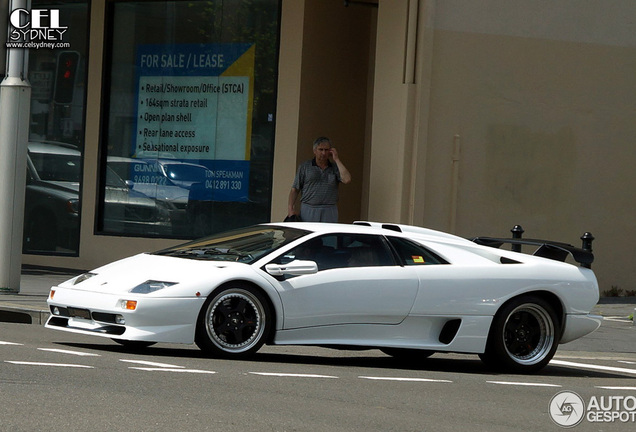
[342, 250]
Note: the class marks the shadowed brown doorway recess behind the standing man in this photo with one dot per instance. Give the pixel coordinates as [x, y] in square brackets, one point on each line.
[334, 89]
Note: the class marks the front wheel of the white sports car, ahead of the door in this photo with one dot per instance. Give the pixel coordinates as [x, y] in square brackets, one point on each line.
[234, 322]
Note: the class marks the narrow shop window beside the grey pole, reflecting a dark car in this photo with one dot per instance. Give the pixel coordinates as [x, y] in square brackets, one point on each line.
[57, 74]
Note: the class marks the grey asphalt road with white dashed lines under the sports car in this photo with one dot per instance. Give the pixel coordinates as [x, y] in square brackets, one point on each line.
[58, 381]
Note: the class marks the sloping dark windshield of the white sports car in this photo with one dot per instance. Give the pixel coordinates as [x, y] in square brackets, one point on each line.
[244, 245]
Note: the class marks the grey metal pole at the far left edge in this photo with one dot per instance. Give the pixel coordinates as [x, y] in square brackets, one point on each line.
[15, 99]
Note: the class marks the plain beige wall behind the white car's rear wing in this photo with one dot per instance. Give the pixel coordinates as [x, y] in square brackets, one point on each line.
[523, 114]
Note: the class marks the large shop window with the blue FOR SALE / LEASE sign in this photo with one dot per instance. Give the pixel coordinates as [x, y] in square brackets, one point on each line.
[189, 116]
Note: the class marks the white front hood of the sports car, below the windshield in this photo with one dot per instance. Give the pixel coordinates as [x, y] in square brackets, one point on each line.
[124, 275]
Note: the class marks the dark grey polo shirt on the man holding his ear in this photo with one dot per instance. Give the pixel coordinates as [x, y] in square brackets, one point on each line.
[317, 186]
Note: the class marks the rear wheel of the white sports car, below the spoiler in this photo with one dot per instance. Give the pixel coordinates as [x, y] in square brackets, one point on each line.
[524, 336]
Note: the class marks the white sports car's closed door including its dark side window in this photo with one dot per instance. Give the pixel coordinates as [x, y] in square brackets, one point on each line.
[358, 282]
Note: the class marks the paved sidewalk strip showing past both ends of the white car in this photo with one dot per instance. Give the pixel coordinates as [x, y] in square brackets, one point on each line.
[29, 305]
